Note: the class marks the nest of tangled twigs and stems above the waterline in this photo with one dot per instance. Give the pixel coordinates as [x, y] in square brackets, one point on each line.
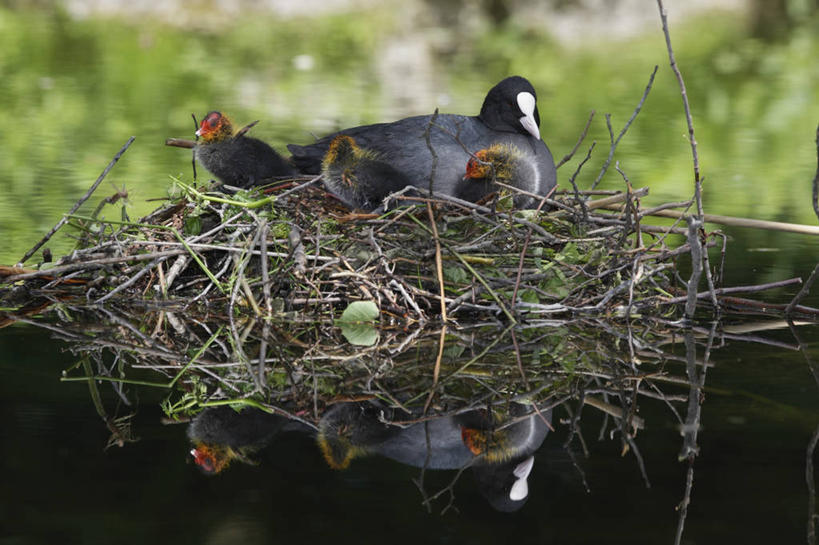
[294, 251]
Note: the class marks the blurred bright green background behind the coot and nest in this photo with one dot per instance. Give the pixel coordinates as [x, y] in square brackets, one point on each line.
[77, 79]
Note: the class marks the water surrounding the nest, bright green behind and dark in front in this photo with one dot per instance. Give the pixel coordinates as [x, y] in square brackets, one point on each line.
[72, 92]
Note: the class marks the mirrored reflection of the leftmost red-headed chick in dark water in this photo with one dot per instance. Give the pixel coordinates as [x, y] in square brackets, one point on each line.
[221, 435]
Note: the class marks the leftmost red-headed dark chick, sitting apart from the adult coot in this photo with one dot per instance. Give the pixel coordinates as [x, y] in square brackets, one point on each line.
[236, 159]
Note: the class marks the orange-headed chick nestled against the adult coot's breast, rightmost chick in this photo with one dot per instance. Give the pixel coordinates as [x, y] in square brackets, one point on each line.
[502, 163]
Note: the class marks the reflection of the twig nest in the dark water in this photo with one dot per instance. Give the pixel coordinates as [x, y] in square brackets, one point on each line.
[420, 375]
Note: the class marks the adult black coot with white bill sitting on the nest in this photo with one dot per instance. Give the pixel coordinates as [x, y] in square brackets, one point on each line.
[509, 115]
